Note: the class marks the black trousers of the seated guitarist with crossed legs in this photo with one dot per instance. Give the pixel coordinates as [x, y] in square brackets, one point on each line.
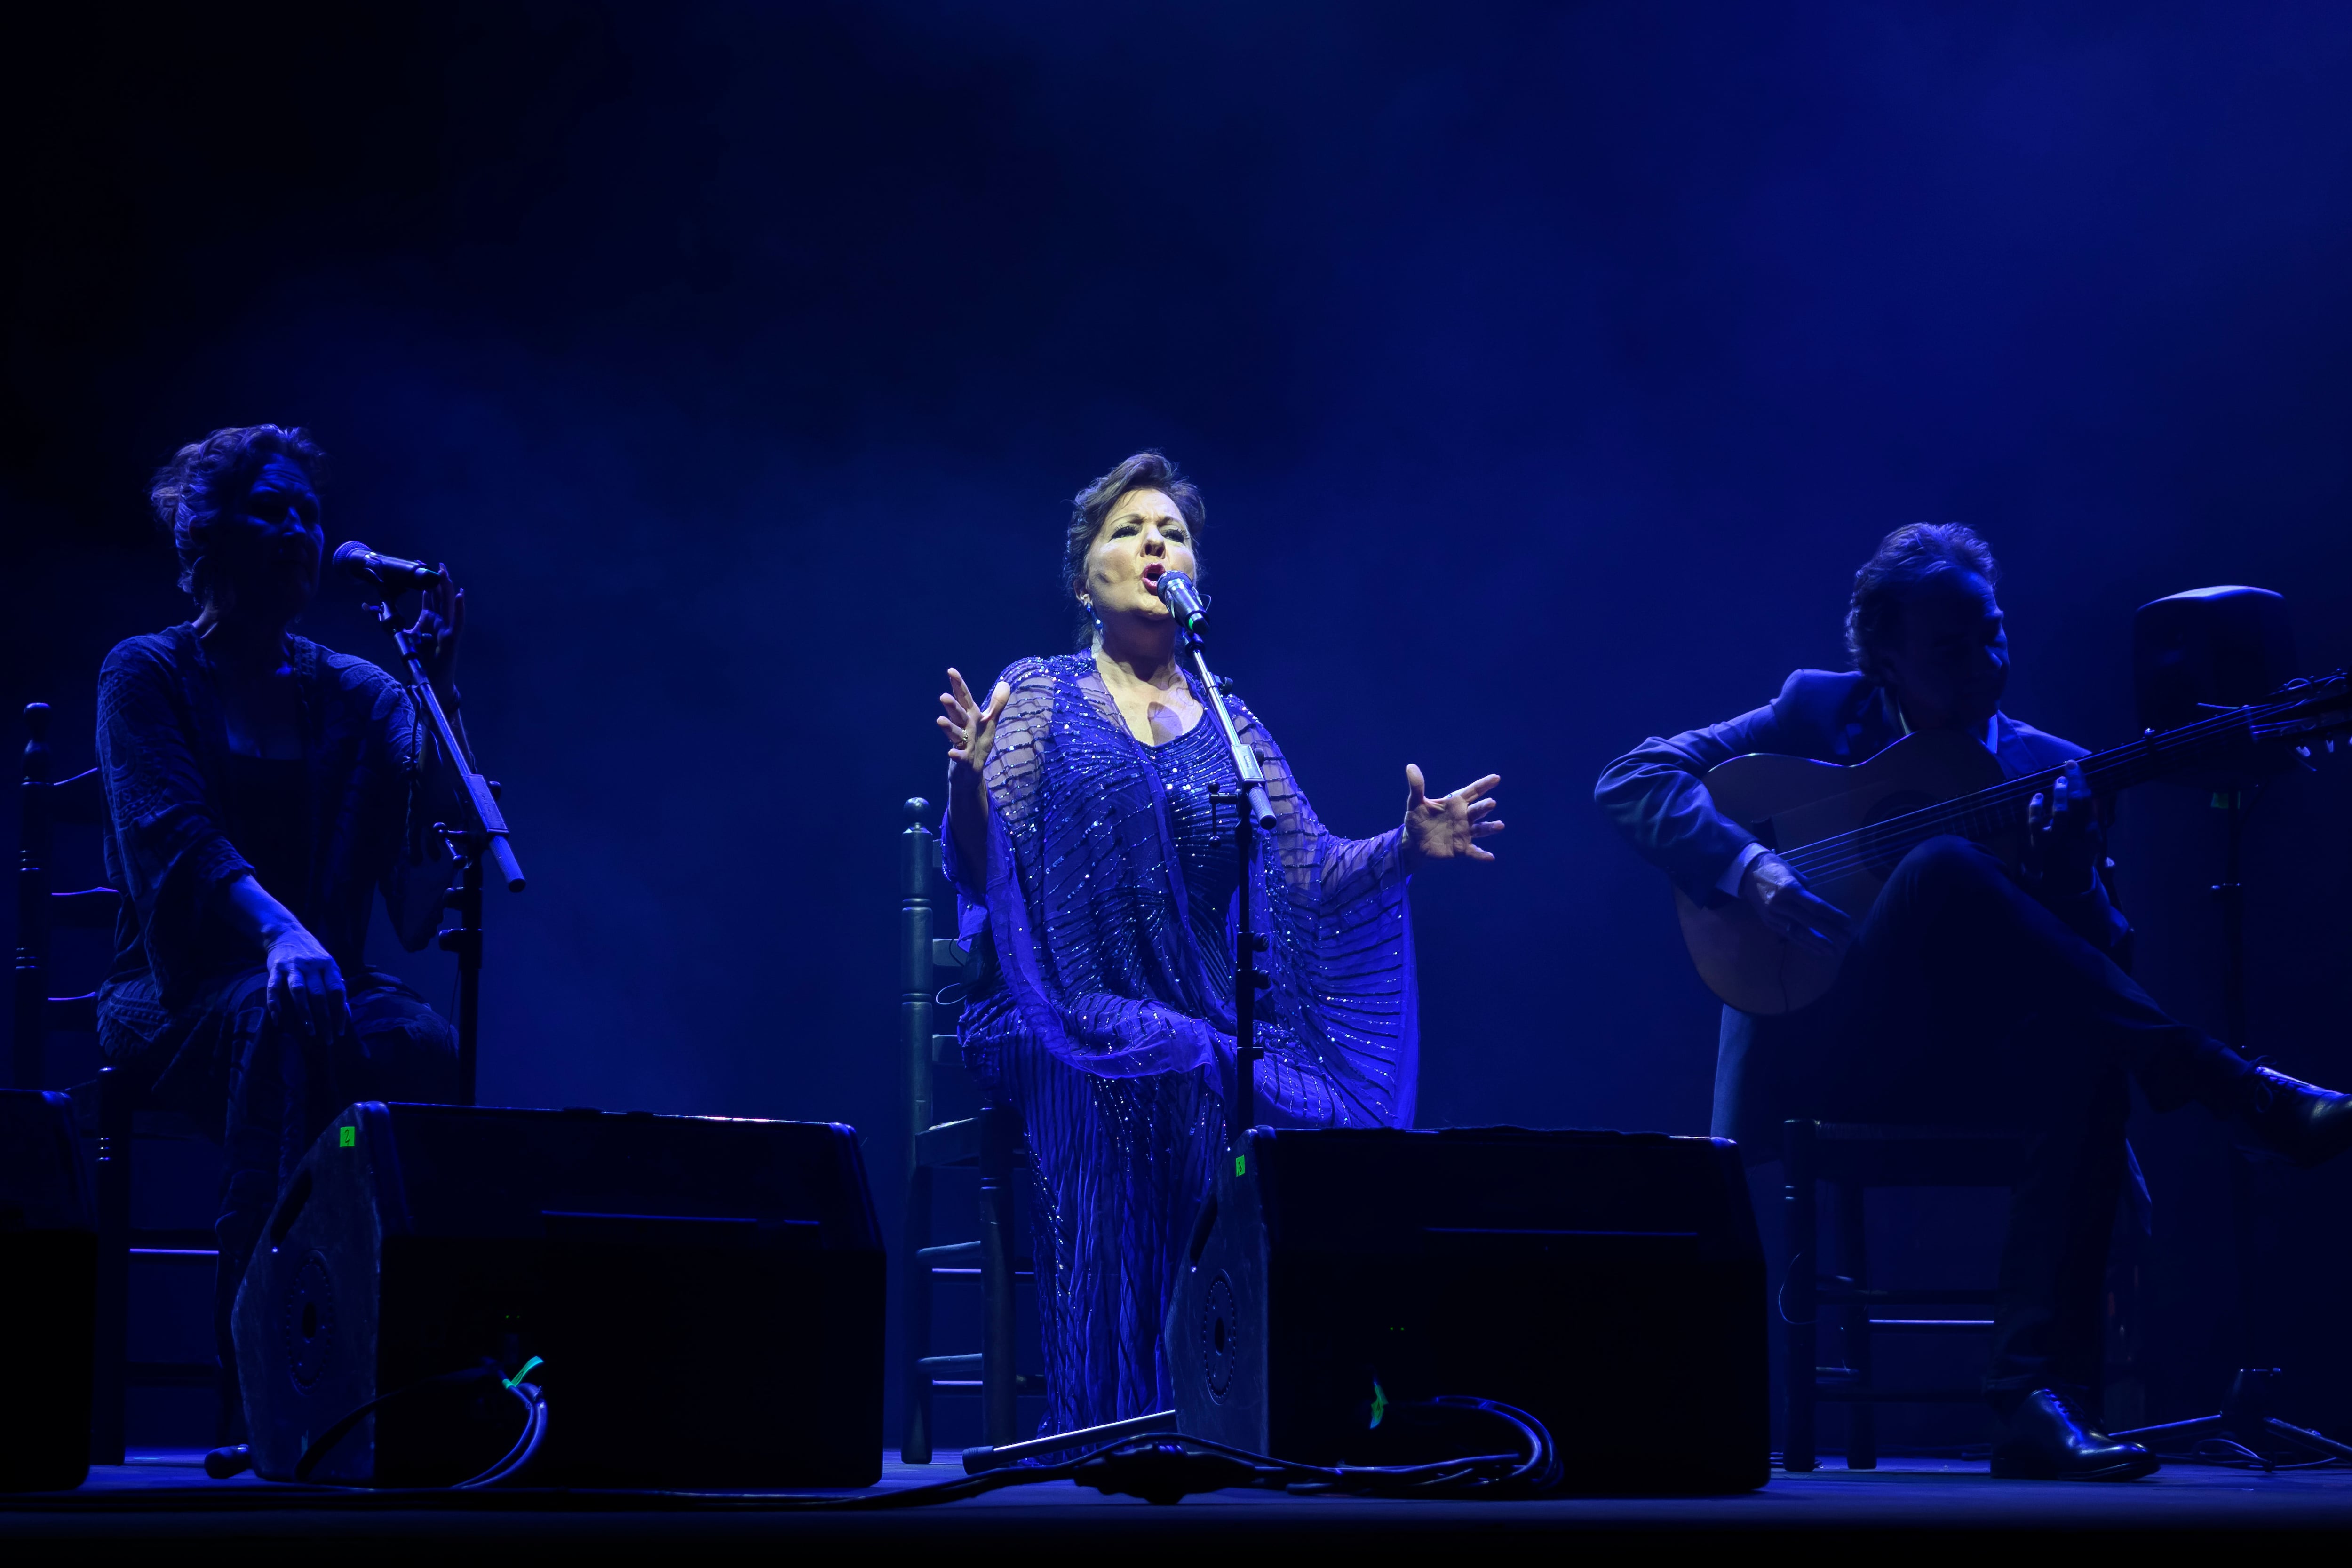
[1965, 1003]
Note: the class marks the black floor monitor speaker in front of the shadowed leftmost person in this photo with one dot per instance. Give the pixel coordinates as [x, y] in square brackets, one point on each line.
[707, 1299]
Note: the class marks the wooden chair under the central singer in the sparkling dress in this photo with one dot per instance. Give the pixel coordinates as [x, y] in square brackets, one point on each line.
[987, 1141]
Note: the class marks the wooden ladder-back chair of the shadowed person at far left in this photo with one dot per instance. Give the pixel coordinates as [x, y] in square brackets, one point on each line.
[109, 1108]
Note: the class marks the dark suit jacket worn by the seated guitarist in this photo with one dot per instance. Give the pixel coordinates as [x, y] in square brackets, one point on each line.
[1657, 800]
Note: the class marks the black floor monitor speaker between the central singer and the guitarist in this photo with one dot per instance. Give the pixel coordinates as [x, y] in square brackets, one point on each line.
[1605, 1282]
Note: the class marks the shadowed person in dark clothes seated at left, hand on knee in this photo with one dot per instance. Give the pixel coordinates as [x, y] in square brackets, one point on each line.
[260, 791]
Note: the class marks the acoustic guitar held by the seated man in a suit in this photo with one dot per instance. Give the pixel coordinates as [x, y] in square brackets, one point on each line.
[1845, 829]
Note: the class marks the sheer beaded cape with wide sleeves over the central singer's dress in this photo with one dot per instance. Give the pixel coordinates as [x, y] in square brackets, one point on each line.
[1085, 906]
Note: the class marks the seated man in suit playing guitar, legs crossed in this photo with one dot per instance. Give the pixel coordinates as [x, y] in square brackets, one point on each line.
[1967, 996]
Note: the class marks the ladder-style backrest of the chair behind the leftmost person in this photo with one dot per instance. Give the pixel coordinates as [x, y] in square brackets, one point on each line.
[44, 808]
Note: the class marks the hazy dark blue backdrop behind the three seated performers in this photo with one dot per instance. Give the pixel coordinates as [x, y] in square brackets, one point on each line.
[1546, 368]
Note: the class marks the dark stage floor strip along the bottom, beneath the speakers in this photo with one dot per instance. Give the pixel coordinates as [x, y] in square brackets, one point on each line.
[166, 1499]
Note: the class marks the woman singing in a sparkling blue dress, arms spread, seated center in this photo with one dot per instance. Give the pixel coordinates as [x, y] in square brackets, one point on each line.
[1093, 862]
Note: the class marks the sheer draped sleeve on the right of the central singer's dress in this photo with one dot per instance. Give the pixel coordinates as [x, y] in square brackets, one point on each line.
[1344, 1043]
